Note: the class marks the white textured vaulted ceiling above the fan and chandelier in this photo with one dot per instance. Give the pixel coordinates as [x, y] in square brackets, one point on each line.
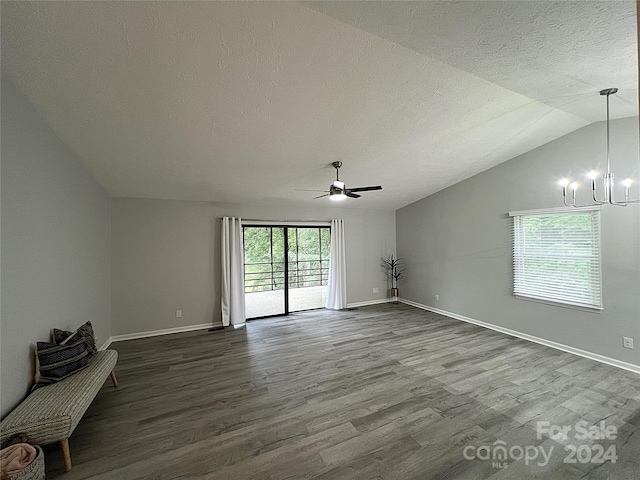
[245, 102]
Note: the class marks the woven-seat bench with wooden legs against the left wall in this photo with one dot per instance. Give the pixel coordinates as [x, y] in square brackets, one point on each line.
[50, 414]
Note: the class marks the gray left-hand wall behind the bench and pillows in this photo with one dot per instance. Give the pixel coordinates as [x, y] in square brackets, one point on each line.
[55, 244]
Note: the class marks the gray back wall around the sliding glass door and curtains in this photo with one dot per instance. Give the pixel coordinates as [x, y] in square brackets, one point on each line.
[166, 257]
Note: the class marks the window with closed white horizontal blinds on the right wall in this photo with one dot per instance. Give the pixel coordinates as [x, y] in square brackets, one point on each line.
[556, 256]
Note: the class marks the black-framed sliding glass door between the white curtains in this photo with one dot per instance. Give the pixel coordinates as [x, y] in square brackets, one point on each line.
[275, 253]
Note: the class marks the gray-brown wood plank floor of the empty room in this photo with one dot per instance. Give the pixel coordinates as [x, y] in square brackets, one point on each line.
[386, 391]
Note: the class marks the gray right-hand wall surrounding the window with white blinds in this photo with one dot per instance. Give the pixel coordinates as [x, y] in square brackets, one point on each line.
[457, 245]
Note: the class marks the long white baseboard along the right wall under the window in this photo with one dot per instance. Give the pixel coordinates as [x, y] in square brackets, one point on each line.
[548, 343]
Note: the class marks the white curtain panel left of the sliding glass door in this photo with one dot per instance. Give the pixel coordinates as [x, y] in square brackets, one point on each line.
[233, 310]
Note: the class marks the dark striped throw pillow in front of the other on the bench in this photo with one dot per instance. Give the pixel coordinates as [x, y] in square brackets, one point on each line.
[56, 362]
